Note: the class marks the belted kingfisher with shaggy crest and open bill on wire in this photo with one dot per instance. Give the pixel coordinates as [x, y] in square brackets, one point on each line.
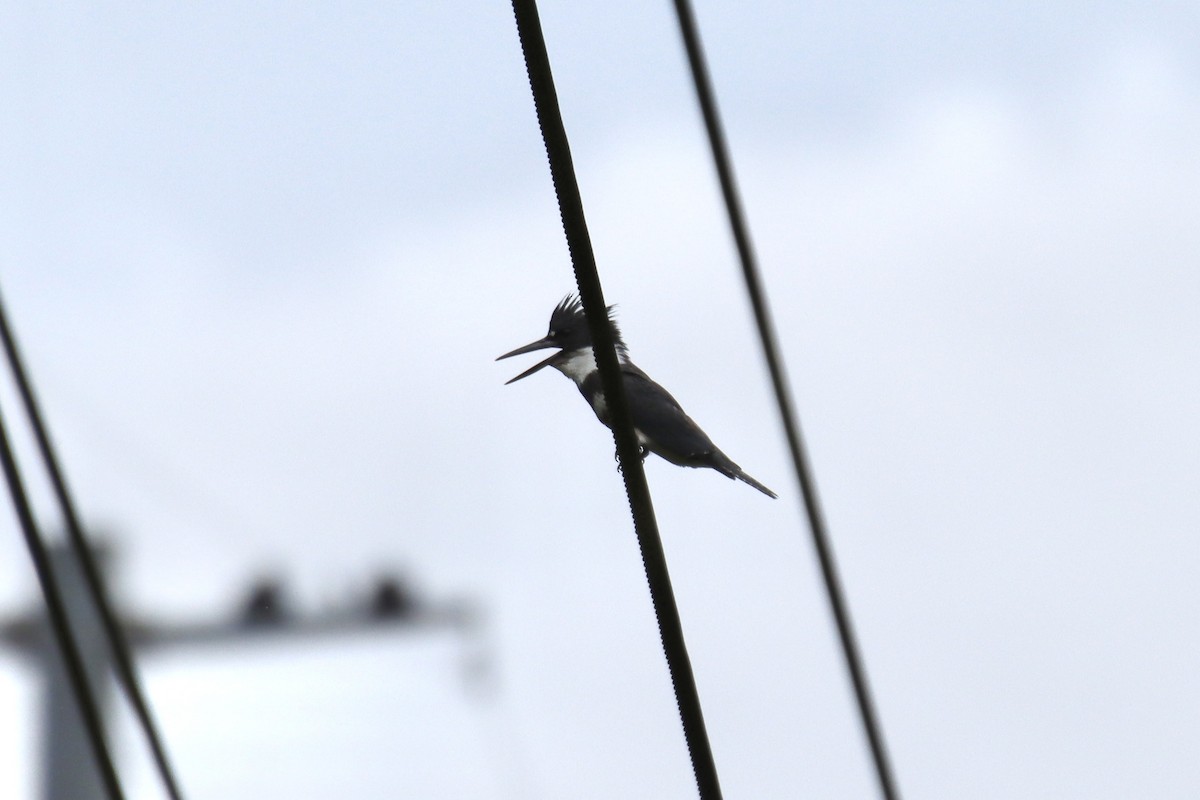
[659, 423]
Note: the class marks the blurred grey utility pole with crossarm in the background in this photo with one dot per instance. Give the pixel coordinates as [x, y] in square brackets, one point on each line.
[68, 771]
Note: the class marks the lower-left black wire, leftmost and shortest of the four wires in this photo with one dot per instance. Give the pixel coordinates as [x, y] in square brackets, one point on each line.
[86, 700]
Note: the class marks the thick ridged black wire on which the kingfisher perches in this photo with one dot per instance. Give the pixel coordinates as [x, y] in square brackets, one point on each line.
[571, 204]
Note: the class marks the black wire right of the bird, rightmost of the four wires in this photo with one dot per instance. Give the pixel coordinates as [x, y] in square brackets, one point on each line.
[787, 410]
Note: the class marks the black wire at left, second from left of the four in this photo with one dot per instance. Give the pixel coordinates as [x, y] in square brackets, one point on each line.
[117, 642]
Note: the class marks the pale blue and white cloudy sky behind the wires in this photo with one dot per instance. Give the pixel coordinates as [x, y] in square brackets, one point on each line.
[262, 261]
